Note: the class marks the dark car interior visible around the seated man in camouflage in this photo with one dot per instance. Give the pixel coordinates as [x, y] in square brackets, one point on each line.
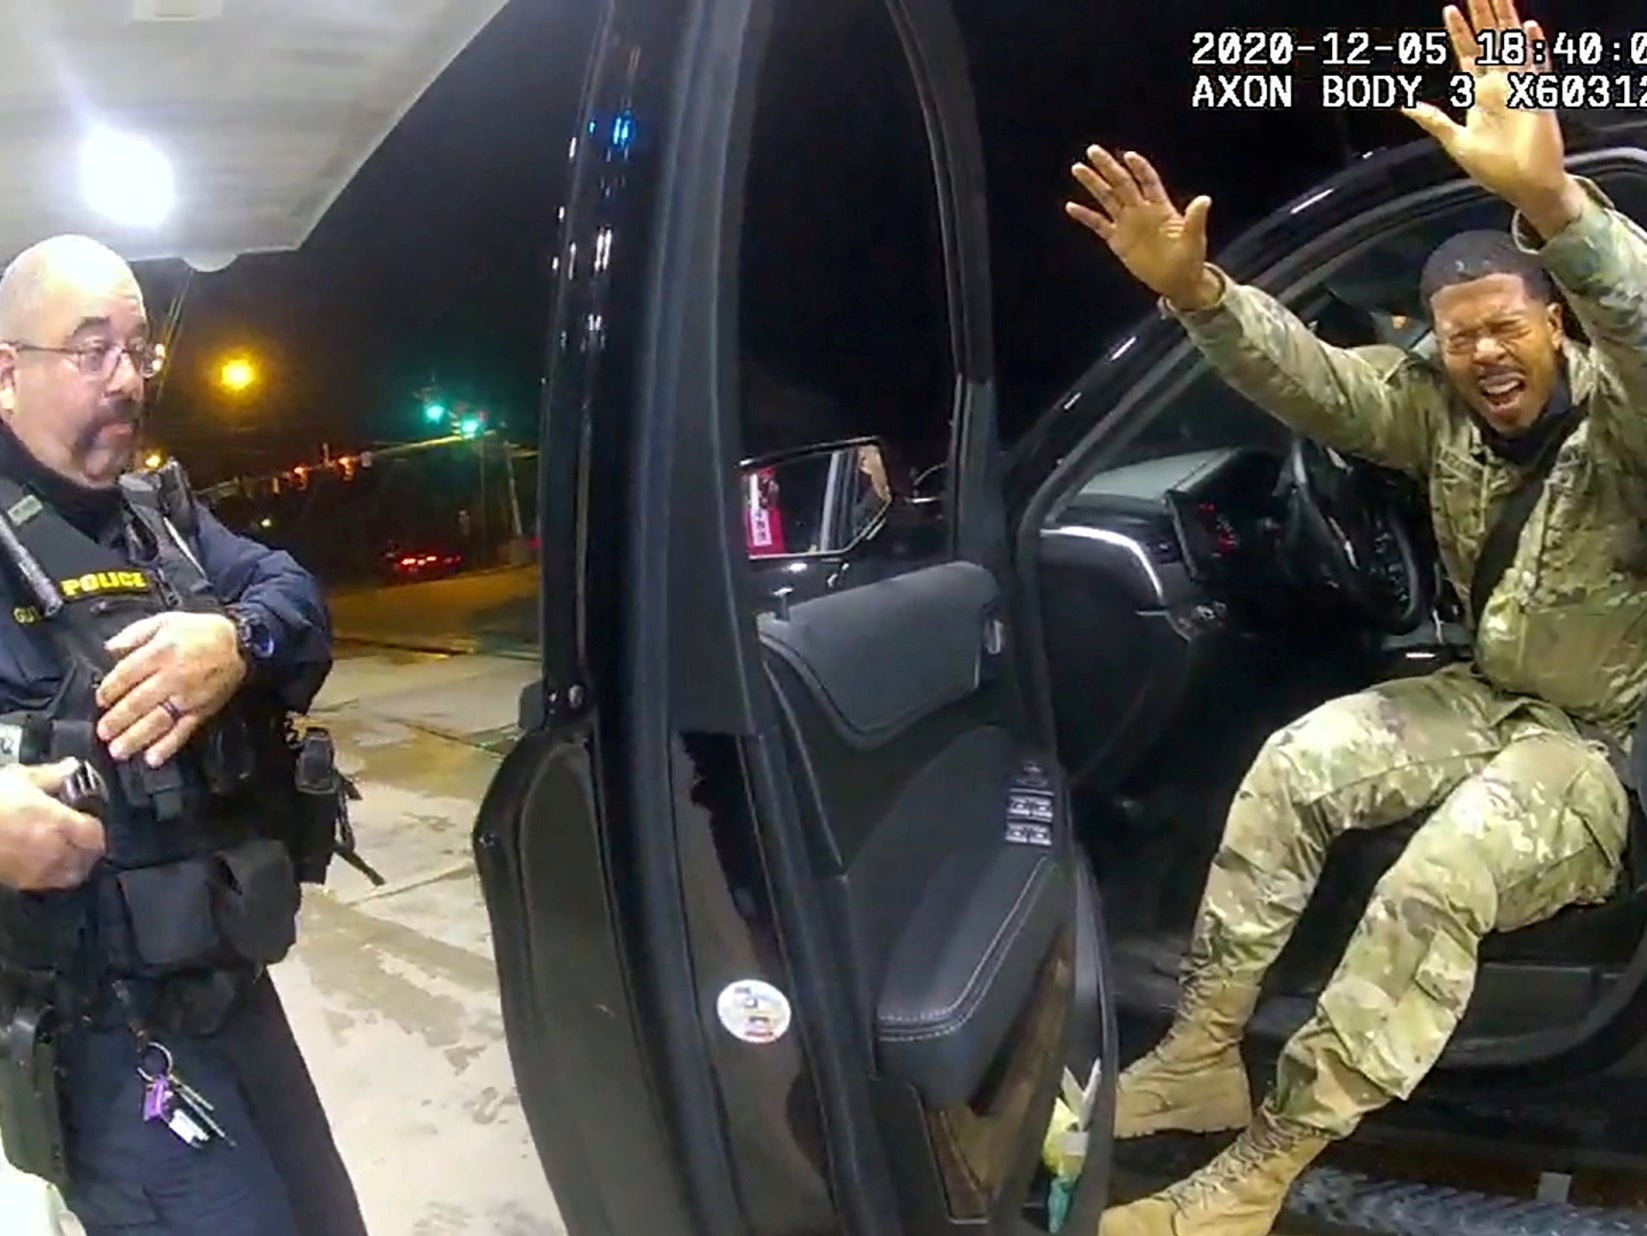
[1188, 616]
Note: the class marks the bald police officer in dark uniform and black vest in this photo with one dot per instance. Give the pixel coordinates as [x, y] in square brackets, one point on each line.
[151, 853]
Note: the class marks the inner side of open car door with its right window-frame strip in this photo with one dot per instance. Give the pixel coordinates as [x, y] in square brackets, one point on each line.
[905, 721]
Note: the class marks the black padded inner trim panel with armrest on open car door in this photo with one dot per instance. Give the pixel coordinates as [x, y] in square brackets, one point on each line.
[903, 769]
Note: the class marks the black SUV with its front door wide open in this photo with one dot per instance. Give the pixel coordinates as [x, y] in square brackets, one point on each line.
[806, 907]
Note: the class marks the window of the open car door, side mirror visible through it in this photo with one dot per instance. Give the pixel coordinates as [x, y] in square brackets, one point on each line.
[844, 322]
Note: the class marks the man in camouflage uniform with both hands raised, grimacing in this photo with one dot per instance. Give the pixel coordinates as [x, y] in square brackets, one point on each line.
[1524, 810]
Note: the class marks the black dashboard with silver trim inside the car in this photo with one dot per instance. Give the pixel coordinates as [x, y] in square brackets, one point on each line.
[1177, 619]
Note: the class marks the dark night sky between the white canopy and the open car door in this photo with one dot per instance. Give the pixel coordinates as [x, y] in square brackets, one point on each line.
[436, 260]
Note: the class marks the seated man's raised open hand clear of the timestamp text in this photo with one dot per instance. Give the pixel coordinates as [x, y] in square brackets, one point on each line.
[1164, 248]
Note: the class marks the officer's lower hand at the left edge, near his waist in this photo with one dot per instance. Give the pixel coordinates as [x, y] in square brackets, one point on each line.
[44, 845]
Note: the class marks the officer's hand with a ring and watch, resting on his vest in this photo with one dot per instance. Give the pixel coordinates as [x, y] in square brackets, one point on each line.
[175, 673]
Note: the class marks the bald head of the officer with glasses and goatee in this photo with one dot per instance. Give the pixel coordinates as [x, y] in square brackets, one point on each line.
[72, 325]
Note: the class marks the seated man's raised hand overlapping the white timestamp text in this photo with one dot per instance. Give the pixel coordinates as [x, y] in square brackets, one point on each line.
[1514, 152]
